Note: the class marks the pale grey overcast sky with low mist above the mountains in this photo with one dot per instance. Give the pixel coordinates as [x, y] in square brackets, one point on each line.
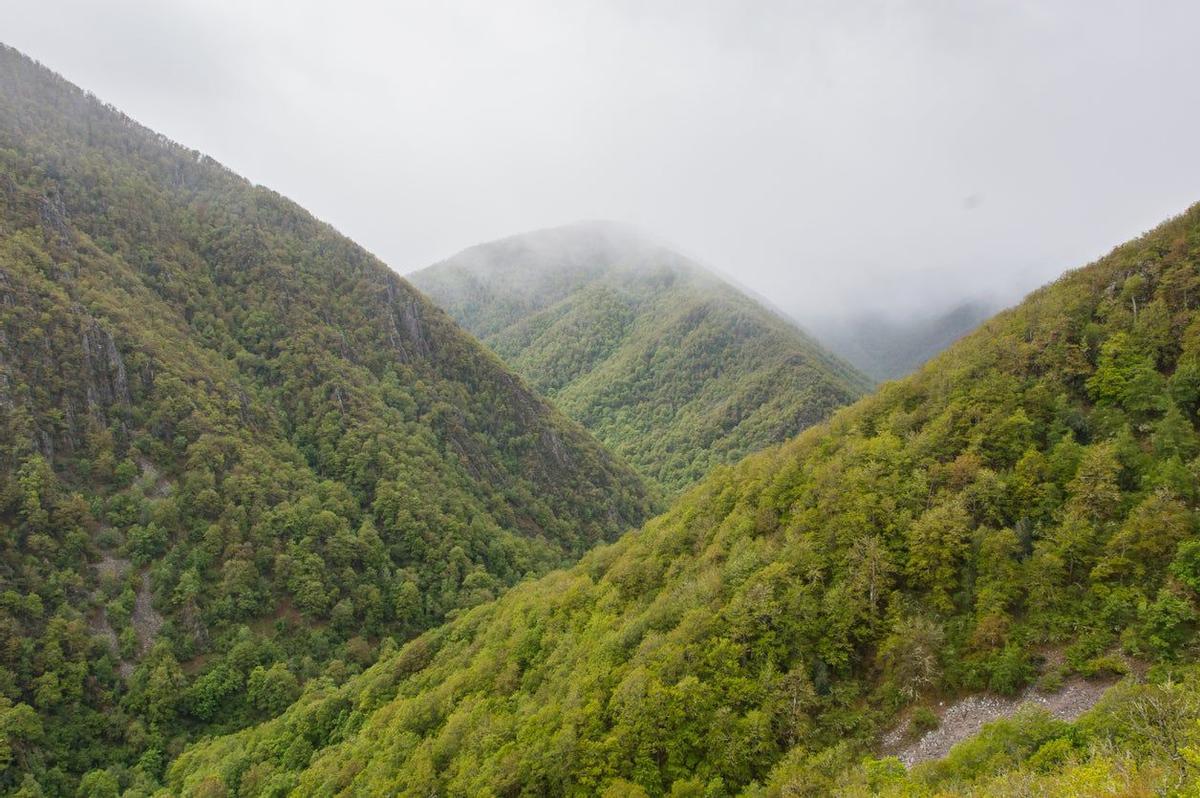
[829, 155]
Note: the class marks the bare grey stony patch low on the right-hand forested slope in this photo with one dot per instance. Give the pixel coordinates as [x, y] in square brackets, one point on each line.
[964, 718]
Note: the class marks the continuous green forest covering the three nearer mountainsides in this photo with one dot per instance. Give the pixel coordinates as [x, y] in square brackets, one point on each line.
[273, 525]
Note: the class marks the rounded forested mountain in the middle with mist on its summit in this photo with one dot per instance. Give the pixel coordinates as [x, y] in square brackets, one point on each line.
[673, 368]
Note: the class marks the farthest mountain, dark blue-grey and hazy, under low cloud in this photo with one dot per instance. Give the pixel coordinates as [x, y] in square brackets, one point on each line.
[889, 347]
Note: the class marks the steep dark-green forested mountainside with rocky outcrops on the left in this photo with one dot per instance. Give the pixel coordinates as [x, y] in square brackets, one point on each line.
[237, 452]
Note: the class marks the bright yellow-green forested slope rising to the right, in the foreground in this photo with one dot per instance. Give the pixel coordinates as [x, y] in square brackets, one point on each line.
[1025, 507]
